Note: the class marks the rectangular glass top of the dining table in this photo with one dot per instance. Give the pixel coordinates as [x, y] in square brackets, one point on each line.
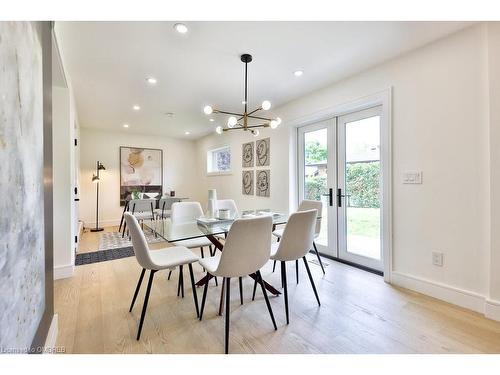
[171, 232]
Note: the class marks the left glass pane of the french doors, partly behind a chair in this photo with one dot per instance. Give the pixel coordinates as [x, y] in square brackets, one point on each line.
[316, 175]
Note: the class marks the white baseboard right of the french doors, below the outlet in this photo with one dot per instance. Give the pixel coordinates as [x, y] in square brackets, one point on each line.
[461, 297]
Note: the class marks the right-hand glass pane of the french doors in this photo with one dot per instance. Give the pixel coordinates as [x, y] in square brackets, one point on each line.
[362, 187]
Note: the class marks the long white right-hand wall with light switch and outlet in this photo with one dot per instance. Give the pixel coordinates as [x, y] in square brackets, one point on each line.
[440, 126]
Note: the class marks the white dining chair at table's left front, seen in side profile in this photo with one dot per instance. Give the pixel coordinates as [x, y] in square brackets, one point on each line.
[154, 261]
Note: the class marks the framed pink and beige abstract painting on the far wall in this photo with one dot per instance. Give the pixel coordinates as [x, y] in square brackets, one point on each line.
[141, 170]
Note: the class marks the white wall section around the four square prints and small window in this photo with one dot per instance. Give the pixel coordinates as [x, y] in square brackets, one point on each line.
[229, 186]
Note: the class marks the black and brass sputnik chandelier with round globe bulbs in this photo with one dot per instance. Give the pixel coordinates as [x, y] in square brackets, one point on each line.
[240, 121]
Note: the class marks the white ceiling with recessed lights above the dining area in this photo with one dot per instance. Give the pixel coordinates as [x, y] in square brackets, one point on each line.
[108, 63]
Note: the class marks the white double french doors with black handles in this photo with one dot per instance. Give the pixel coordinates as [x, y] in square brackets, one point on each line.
[340, 164]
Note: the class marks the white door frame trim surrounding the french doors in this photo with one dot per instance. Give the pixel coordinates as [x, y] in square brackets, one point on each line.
[383, 98]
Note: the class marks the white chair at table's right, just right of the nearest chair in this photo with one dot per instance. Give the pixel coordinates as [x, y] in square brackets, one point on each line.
[295, 243]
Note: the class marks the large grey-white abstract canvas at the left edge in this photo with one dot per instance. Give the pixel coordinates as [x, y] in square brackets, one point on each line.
[22, 247]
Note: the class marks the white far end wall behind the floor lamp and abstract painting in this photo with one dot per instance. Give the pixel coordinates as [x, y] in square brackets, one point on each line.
[179, 170]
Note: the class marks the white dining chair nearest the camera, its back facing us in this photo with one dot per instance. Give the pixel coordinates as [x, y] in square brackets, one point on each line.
[246, 250]
